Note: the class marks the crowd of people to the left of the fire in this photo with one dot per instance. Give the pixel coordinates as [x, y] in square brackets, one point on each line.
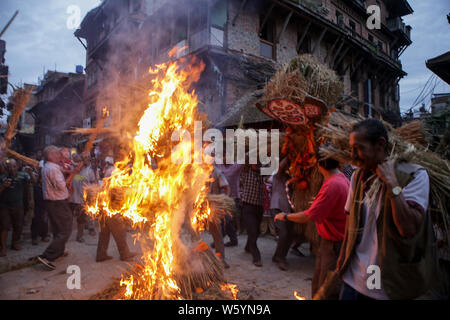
[53, 192]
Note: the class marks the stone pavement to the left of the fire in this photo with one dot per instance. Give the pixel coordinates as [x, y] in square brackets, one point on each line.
[37, 283]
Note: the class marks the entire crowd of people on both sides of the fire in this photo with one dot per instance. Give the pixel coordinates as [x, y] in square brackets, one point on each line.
[356, 232]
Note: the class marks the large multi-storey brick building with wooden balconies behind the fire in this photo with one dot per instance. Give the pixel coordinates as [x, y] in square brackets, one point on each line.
[242, 43]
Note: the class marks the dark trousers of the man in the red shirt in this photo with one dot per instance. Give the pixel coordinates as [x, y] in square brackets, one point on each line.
[326, 259]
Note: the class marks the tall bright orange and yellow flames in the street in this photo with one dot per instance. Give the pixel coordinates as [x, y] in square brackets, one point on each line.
[154, 192]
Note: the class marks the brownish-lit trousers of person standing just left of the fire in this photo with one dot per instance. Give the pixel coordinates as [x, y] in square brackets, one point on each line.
[115, 226]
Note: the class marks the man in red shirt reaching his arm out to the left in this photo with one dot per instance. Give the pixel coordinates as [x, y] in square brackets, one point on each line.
[328, 212]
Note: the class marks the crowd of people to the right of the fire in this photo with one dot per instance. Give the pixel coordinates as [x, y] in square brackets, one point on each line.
[357, 233]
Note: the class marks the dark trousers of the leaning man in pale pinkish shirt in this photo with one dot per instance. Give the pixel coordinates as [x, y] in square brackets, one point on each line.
[60, 217]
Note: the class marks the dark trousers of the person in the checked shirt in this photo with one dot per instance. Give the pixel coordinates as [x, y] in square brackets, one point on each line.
[252, 218]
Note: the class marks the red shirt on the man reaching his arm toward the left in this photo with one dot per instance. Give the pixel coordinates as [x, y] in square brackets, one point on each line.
[327, 210]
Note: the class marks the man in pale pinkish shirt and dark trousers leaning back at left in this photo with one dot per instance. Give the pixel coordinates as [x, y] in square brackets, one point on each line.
[55, 194]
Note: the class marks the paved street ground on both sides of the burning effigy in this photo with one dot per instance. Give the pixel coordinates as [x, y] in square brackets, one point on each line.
[35, 282]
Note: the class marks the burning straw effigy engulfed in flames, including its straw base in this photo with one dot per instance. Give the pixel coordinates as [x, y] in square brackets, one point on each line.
[166, 201]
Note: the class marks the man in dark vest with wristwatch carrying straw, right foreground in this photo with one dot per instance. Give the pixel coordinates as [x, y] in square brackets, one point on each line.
[387, 251]
